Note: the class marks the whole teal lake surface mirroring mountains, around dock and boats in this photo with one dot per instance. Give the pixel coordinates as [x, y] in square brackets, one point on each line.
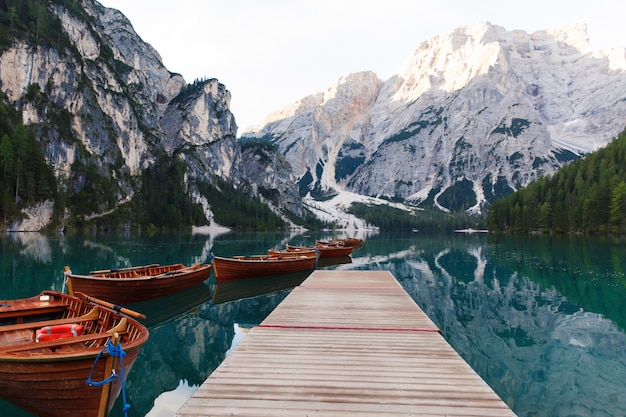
[541, 319]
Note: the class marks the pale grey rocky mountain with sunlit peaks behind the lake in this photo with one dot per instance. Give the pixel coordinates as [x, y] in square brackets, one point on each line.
[475, 114]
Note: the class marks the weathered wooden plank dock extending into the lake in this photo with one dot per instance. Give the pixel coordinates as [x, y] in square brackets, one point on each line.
[345, 343]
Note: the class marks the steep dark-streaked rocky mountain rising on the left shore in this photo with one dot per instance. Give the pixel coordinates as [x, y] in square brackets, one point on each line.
[104, 107]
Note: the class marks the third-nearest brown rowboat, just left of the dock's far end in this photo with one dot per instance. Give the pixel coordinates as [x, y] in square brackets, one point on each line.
[262, 265]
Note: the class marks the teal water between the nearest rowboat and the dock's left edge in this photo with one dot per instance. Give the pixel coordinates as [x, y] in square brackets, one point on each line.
[186, 349]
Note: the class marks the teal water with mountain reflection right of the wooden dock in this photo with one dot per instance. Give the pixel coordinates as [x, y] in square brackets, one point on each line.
[528, 340]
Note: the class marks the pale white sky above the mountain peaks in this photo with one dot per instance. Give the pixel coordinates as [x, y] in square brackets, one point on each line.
[270, 53]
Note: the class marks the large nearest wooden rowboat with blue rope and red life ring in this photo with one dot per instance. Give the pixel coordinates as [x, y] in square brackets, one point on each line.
[49, 378]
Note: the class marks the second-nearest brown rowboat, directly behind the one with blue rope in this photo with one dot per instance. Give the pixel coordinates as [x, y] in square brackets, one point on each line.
[129, 285]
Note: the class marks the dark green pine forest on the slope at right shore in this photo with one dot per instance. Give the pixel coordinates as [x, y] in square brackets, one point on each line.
[587, 196]
